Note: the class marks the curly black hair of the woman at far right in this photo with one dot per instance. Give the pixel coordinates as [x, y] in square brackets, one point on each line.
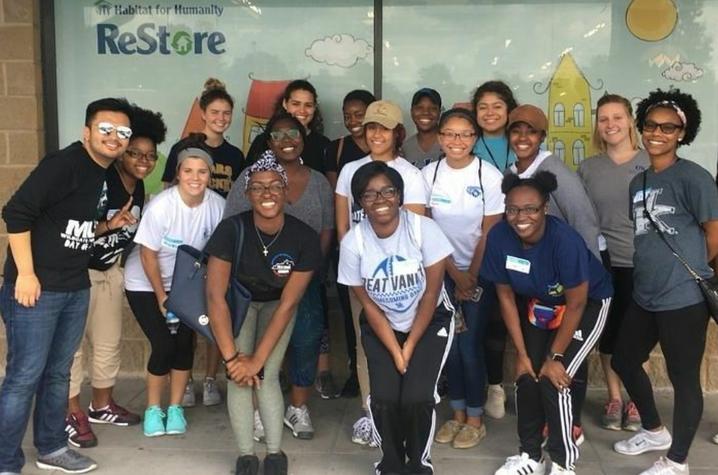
[675, 100]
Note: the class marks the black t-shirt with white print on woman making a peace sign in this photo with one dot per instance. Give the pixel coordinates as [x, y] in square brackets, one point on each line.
[109, 247]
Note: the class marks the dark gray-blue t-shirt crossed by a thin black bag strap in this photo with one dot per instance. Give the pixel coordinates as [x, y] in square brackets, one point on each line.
[680, 199]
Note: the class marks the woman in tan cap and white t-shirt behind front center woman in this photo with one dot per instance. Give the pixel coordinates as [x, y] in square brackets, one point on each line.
[384, 134]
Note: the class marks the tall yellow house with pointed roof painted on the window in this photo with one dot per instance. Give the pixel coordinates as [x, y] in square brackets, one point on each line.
[570, 121]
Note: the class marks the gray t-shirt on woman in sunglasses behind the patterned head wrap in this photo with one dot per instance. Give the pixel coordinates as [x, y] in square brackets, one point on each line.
[315, 207]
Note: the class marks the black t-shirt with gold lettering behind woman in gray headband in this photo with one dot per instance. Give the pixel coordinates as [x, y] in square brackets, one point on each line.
[228, 163]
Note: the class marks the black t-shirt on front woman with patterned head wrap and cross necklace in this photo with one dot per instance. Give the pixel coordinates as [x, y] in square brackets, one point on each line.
[296, 248]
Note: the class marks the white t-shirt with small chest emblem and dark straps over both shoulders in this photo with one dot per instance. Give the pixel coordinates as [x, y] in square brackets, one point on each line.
[457, 204]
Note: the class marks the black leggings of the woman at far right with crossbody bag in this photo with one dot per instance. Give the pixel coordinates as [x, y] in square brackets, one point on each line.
[682, 335]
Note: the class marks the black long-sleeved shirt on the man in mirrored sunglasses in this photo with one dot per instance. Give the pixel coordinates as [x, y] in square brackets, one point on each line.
[58, 204]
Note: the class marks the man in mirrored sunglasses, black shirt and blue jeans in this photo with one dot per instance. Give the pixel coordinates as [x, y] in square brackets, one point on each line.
[51, 222]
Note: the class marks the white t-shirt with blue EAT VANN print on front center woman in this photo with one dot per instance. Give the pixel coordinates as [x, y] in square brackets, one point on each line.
[391, 270]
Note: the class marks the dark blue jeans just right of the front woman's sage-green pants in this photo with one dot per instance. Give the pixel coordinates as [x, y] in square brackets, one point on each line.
[306, 339]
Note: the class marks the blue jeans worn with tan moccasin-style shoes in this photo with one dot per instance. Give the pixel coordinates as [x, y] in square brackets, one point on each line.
[466, 363]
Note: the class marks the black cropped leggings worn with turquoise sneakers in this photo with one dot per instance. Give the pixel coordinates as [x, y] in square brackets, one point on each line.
[168, 351]
